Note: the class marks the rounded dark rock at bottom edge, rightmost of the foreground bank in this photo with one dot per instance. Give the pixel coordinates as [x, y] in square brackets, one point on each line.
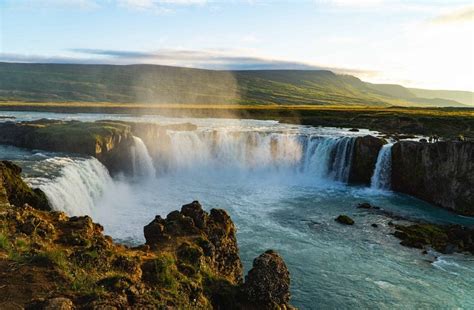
[267, 284]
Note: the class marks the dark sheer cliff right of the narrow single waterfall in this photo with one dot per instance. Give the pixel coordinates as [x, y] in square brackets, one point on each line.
[441, 173]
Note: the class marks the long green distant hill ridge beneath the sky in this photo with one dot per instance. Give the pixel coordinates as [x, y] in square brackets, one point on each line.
[164, 84]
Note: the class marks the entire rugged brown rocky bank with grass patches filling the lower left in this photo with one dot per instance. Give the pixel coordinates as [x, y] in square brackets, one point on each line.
[190, 260]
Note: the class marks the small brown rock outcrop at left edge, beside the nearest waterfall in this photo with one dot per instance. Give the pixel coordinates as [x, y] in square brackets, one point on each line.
[15, 191]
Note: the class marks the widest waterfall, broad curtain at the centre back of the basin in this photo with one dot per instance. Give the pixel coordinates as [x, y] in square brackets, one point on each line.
[251, 151]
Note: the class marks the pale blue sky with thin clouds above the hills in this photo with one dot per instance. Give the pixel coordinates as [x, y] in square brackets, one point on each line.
[426, 44]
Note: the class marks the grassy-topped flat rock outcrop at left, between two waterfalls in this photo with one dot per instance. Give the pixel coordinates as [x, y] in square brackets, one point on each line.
[108, 141]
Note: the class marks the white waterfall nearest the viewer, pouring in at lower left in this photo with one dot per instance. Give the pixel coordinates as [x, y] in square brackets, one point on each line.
[78, 186]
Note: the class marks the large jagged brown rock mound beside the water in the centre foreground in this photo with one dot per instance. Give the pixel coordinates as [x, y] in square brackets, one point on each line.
[213, 235]
